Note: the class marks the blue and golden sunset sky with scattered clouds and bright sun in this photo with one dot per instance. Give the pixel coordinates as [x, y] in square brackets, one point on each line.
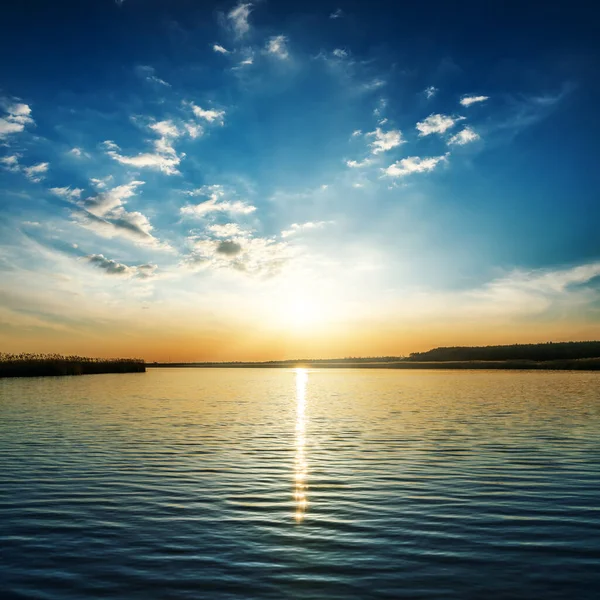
[270, 180]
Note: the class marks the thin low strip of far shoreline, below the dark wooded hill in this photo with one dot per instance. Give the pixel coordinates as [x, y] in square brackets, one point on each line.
[583, 364]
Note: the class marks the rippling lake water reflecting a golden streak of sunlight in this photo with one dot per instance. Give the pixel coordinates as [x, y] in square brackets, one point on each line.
[252, 483]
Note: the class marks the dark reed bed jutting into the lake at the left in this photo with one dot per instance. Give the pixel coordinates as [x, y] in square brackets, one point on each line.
[44, 365]
